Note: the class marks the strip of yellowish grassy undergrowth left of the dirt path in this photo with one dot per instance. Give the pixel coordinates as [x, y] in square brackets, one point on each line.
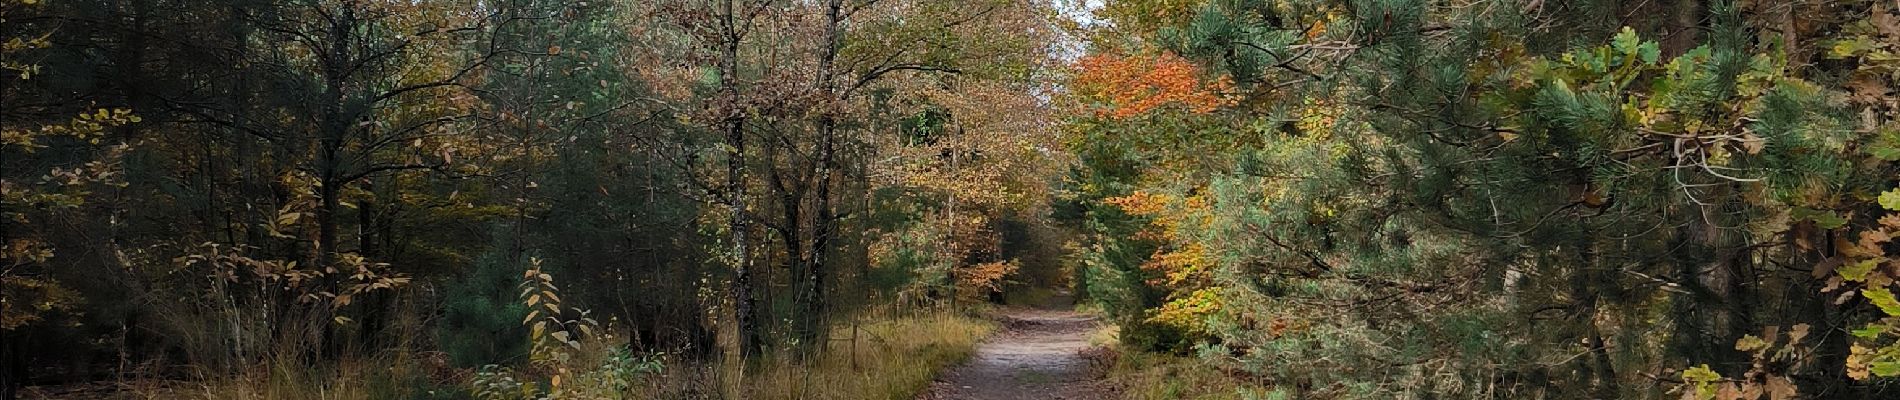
[892, 357]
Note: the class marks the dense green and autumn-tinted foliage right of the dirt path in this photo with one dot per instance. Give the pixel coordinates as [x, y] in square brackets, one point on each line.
[1525, 202]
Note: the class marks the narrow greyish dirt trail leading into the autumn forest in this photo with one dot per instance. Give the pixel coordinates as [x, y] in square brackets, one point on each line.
[1036, 355]
